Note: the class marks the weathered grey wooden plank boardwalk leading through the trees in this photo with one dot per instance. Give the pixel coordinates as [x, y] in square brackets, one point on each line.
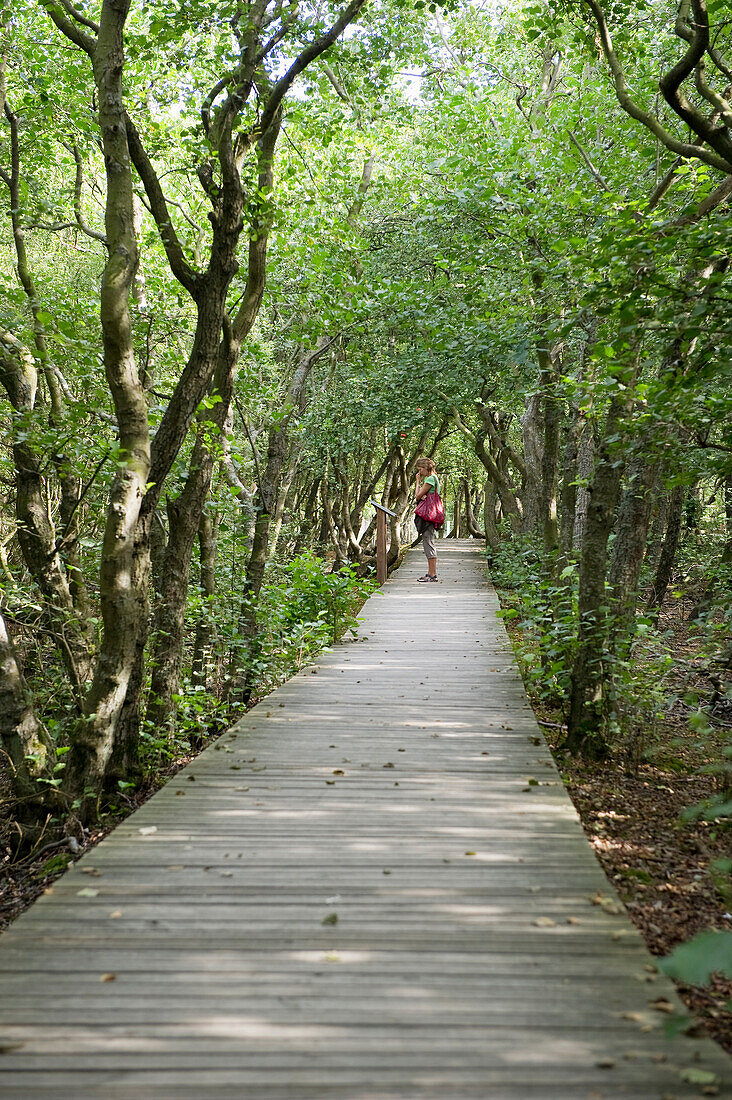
[374, 887]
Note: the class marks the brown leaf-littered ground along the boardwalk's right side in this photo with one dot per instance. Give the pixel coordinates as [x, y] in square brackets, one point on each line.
[660, 864]
